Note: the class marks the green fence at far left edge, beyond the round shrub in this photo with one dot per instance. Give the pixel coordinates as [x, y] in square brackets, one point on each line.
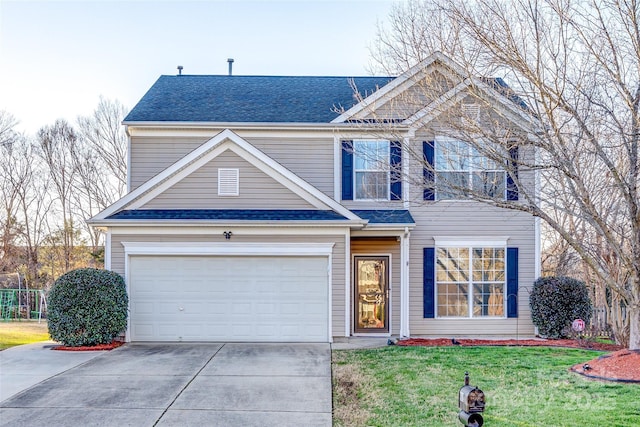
[22, 304]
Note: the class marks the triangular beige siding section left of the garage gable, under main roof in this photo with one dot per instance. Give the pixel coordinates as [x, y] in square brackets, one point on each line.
[151, 155]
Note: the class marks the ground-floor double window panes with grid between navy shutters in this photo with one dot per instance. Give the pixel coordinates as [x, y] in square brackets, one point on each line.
[471, 281]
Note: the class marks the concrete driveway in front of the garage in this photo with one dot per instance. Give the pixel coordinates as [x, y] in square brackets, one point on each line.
[195, 384]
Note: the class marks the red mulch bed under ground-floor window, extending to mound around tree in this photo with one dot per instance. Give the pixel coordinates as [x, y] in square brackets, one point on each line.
[621, 365]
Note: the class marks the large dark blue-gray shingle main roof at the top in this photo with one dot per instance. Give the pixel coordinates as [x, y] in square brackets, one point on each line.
[257, 99]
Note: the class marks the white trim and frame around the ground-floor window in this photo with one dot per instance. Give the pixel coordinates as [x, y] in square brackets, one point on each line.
[470, 243]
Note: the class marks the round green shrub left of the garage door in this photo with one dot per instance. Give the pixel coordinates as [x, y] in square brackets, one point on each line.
[87, 307]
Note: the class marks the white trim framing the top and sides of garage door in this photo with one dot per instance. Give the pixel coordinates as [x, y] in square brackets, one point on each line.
[231, 249]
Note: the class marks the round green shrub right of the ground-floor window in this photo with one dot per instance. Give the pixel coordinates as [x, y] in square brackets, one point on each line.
[556, 302]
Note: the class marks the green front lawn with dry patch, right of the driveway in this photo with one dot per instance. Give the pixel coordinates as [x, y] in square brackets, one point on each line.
[524, 386]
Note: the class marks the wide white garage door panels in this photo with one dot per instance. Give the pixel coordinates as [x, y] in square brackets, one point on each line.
[214, 298]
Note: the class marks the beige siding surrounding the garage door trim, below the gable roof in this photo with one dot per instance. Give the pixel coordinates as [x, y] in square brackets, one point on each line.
[337, 266]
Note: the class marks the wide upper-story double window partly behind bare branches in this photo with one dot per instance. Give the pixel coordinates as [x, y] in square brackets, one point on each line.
[461, 169]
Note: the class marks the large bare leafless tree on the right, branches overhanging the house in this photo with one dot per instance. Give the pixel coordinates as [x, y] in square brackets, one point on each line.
[576, 68]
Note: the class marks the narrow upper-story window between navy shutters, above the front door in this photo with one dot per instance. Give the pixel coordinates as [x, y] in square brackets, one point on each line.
[371, 170]
